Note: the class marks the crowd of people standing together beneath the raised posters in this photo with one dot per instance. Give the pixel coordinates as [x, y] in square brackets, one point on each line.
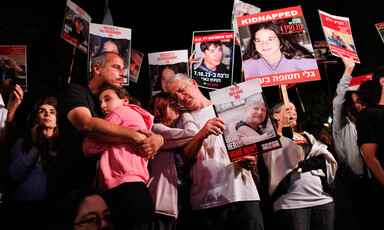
[96, 158]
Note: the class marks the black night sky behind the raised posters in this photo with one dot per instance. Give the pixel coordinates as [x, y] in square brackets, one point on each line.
[168, 25]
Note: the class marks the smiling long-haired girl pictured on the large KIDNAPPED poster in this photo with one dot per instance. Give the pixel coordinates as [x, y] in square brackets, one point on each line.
[269, 51]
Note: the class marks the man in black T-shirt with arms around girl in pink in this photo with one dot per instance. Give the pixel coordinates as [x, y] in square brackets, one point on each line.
[80, 117]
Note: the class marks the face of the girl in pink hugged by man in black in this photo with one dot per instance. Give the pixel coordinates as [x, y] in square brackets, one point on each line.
[109, 100]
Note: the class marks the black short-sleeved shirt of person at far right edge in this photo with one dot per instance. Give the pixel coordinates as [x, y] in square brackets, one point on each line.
[370, 128]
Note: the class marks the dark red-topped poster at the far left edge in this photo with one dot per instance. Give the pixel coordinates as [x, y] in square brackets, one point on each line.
[13, 67]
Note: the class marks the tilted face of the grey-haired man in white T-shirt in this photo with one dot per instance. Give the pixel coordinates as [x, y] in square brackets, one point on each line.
[184, 93]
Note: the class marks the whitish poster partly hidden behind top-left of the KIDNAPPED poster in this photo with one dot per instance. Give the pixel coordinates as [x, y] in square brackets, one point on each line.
[240, 9]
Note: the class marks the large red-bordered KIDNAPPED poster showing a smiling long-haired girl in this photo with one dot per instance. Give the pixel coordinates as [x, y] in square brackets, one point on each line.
[276, 47]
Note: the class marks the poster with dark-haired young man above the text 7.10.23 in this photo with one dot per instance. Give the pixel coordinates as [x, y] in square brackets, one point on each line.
[215, 51]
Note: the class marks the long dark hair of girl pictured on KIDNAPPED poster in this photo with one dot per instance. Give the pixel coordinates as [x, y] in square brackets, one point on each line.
[289, 47]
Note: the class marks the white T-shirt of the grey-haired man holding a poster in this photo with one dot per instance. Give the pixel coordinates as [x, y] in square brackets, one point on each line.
[215, 180]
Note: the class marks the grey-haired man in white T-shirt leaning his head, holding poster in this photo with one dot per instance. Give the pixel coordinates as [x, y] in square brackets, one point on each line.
[223, 194]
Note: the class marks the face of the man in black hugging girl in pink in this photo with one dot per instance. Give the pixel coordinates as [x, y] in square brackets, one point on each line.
[113, 71]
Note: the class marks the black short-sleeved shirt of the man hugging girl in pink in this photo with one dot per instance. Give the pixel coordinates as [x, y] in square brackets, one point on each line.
[74, 169]
